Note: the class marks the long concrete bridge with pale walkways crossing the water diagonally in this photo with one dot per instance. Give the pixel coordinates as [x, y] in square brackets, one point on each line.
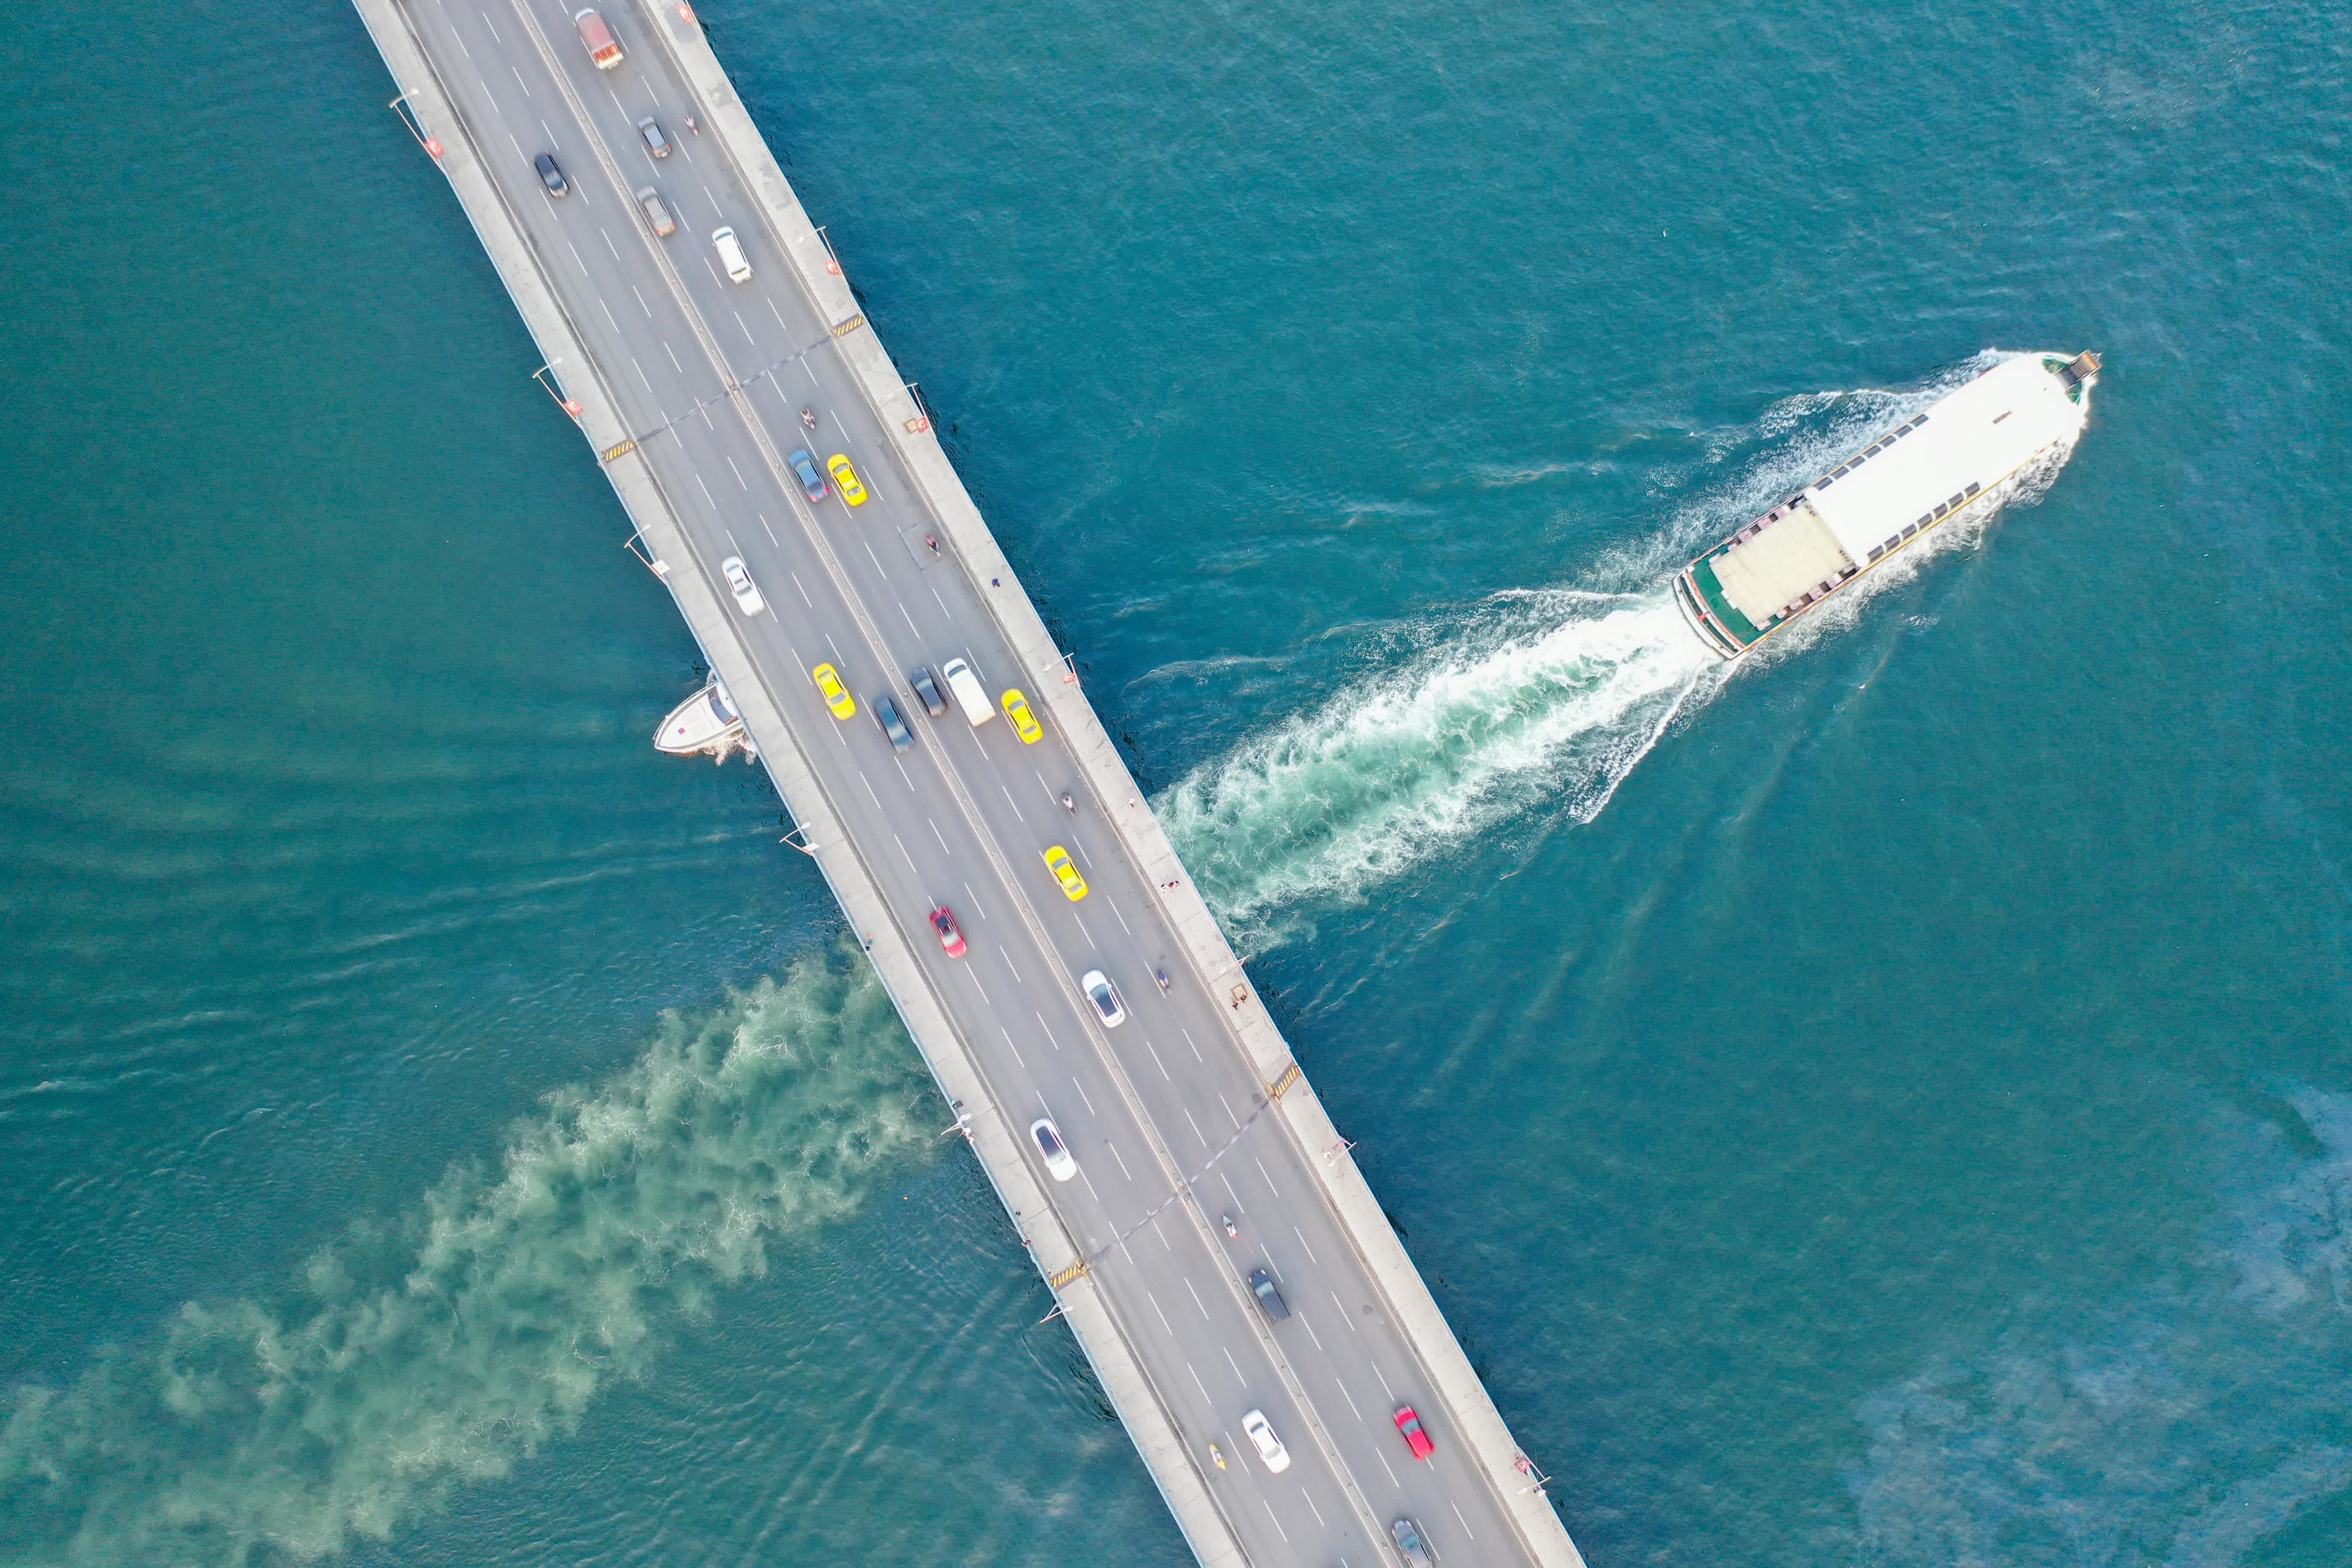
[690, 389]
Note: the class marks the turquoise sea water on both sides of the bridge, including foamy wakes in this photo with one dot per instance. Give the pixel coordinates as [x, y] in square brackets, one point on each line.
[1883, 1108]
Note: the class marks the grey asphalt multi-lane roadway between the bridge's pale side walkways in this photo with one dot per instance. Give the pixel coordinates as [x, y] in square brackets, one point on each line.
[965, 817]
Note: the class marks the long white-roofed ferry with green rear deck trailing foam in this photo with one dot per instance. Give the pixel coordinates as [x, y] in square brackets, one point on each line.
[1909, 481]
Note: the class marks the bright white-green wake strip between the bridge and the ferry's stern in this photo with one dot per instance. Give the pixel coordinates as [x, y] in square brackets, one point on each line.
[1546, 697]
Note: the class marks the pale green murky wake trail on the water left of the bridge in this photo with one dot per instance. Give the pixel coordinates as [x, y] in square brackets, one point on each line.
[436, 1351]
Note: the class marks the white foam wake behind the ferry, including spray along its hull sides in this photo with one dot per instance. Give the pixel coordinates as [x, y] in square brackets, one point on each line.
[1546, 697]
